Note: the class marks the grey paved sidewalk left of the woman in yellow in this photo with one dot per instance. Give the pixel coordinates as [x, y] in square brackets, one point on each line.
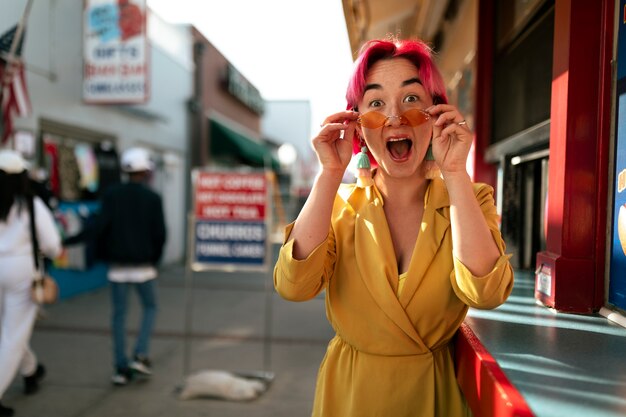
[228, 333]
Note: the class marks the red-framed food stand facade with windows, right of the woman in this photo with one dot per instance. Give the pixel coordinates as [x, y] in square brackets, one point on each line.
[539, 94]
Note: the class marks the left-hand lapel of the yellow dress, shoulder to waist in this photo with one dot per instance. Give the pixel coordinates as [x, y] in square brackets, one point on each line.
[376, 259]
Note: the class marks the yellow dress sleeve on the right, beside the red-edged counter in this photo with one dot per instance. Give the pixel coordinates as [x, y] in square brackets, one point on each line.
[491, 290]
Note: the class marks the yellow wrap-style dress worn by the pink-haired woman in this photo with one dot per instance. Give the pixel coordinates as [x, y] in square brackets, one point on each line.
[392, 353]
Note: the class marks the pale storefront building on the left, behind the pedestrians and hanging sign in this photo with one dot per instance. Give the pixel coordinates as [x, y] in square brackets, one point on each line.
[65, 132]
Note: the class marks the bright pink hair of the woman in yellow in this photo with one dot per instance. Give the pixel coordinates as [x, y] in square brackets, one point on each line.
[375, 50]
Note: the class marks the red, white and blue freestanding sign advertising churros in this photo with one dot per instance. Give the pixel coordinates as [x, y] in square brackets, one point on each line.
[230, 219]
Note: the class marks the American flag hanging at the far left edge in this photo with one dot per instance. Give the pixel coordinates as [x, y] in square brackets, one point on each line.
[13, 94]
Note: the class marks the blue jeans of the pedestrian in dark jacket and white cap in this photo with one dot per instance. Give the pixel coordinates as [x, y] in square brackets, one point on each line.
[119, 296]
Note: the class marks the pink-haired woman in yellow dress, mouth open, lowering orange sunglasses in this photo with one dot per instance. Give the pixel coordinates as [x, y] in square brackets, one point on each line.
[402, 253]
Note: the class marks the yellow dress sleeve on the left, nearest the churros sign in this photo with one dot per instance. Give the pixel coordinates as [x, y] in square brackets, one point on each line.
[301, 280]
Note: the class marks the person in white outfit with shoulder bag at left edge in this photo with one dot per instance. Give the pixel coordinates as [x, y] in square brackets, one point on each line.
[17, 270]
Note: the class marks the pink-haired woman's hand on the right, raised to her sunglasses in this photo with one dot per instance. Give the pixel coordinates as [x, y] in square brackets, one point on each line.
[452, 139]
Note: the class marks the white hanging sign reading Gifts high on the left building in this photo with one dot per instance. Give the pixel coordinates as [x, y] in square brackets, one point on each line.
[115, 52]
